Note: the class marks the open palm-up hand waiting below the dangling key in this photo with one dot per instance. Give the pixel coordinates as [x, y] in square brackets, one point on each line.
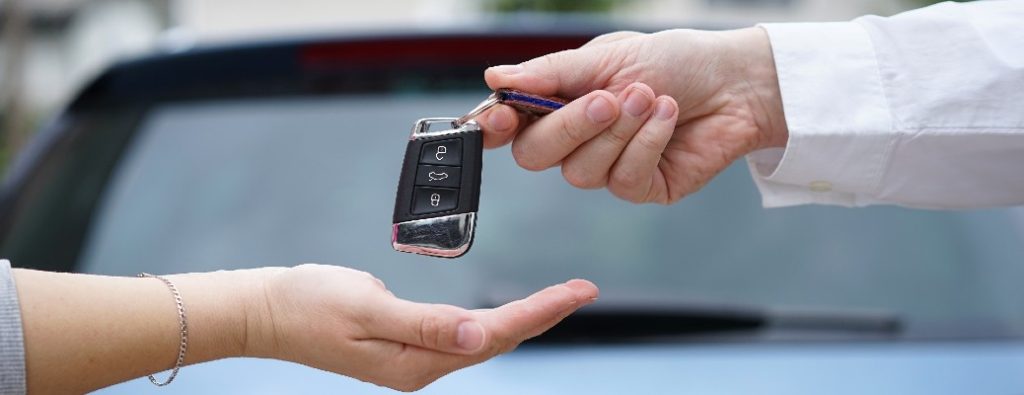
[347, 322]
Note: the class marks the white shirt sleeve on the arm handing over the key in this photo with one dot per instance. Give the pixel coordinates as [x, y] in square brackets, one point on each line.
[924, 109]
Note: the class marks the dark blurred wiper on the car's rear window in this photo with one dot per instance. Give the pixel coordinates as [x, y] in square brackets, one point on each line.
[611, 322]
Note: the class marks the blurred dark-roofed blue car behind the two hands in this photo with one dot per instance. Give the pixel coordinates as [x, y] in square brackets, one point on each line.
[279, 153]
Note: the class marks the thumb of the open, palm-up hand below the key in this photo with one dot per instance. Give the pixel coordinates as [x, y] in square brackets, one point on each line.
[440, 328]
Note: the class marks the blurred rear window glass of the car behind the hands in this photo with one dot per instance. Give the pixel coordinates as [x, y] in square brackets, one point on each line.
[231, 185]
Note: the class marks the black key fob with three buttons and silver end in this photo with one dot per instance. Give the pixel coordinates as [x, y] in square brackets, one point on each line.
[440, 189]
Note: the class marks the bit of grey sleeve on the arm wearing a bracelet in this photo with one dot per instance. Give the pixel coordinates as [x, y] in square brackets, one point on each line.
[12, 341]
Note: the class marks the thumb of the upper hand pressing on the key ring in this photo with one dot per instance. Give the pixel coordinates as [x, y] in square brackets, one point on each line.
[569, 74]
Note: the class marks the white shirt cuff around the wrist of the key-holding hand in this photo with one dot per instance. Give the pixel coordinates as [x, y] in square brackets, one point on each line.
[839, 120]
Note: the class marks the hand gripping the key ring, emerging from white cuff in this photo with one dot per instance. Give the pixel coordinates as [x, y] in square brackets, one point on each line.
[655, 117]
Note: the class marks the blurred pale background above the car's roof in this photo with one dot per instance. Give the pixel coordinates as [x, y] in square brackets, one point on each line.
[50, 49]
